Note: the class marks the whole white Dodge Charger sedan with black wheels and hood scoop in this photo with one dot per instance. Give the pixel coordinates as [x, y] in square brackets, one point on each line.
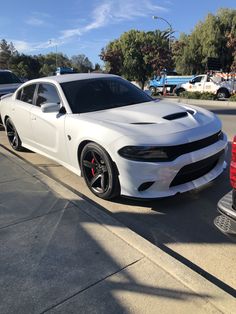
[117, 137]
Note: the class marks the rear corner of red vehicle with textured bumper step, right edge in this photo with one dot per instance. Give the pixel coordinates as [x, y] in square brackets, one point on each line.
[226, 222]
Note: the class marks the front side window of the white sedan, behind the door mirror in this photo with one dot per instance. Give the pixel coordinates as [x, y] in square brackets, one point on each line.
[46, 94]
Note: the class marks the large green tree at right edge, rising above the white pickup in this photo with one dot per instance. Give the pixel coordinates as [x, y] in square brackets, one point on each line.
[212, 37]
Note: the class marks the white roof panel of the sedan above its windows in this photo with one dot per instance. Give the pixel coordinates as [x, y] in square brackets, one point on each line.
[72, 77]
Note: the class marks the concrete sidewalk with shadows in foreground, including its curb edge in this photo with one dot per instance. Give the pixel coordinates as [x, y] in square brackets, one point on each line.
[61, 254]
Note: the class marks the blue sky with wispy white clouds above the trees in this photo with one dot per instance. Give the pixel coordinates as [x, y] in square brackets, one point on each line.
[75, 27]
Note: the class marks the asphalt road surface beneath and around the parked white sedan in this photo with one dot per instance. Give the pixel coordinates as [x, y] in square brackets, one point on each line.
[181, 225]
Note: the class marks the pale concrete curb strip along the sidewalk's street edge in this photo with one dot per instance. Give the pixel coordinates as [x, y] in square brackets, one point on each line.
[219, 299]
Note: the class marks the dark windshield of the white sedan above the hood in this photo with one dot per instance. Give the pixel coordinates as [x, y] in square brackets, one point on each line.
[102, 93]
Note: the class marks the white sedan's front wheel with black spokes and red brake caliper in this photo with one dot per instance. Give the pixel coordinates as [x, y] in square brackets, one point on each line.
[99, 171]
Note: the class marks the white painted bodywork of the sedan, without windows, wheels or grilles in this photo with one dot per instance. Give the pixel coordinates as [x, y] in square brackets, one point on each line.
[49, 133]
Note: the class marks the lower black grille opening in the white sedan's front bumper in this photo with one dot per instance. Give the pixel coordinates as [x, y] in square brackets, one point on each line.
[196, 170]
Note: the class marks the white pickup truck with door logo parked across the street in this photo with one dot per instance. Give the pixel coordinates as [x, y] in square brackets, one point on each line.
[206, 83]
